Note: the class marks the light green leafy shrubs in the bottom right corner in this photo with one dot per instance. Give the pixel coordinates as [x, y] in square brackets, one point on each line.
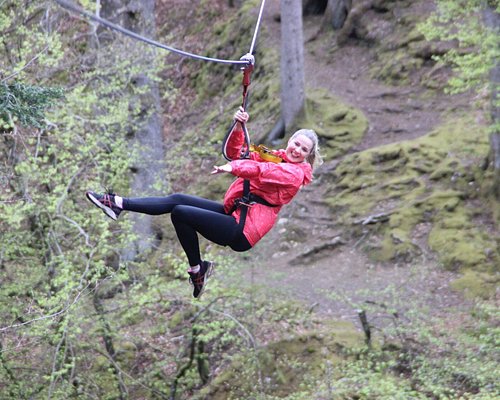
[416, 353]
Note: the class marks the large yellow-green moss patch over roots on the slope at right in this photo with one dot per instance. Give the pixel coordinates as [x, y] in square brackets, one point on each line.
[414, 182]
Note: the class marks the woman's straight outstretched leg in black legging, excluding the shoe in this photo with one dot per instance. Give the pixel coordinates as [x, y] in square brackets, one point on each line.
[164, 205]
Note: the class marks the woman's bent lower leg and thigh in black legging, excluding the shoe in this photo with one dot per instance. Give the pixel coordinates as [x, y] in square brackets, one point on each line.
[219, 228]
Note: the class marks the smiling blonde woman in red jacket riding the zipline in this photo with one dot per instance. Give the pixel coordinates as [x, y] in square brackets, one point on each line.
[246, 214]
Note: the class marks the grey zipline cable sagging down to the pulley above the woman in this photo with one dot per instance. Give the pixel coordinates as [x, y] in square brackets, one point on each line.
[70, 6]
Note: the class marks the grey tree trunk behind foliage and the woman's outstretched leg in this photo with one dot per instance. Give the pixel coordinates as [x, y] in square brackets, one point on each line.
[147, 137]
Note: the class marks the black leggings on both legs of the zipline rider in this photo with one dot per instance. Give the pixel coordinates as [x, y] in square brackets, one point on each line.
[191, 214]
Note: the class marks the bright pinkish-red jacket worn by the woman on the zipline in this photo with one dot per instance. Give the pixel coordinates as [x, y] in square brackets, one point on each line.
[275, 183]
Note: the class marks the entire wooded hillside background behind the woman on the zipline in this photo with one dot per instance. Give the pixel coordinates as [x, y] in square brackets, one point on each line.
[378, 282]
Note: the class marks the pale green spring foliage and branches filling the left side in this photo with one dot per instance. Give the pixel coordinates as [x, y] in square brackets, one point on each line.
[59, 257]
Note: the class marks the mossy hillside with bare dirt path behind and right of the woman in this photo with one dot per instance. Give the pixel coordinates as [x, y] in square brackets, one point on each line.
[394, 235]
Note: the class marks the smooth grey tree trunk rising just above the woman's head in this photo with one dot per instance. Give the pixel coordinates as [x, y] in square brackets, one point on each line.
[292, 61]
